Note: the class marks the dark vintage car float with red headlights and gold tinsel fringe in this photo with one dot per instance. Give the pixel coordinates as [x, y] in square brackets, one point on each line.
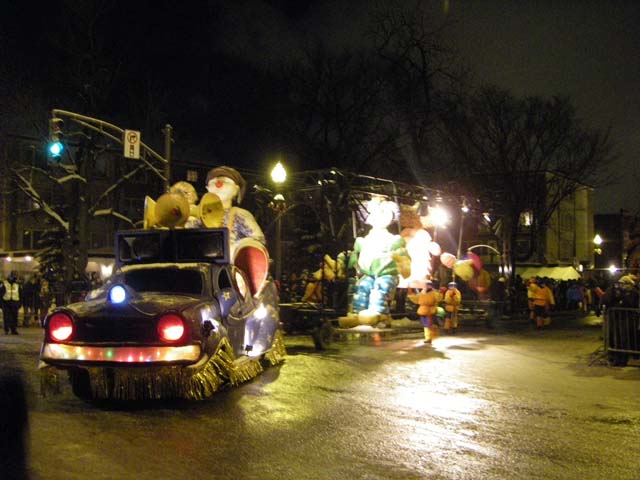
[177, 320]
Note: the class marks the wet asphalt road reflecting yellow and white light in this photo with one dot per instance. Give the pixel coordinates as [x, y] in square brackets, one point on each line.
[481, 404]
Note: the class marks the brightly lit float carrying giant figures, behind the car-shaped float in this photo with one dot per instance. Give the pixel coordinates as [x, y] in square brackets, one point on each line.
[381, 241]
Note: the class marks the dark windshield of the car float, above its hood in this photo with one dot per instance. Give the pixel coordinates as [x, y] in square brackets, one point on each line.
[165, 280]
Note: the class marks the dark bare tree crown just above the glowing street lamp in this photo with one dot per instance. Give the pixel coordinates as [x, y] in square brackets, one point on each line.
[335, 112]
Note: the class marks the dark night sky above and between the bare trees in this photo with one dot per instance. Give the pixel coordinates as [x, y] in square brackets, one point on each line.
[204, 58]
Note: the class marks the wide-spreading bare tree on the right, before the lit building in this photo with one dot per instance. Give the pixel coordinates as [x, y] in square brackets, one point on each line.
[524, 154]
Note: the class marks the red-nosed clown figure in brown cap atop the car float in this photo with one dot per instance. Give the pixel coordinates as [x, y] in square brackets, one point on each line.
[229, 185]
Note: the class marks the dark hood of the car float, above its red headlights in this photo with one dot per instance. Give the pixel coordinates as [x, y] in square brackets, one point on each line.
[147, 304]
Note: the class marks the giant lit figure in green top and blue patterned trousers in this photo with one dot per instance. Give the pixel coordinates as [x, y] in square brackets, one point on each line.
[378, 258]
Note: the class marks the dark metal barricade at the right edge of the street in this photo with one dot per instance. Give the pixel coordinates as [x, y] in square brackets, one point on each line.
[621, 335]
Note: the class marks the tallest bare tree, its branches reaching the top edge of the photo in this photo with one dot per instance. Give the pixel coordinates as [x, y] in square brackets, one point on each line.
[421, 74]
